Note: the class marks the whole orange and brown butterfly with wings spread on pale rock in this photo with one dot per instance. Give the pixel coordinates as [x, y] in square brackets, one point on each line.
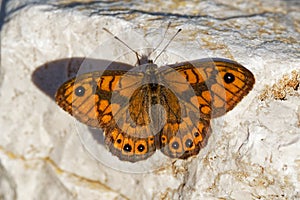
[148, 108]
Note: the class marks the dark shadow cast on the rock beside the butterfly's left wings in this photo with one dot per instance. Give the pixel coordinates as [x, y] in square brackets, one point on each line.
[51, 75]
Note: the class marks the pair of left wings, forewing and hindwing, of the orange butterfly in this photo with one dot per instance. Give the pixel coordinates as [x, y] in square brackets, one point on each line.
[102, 100]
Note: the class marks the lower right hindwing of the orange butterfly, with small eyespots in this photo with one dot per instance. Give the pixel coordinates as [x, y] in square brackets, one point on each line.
[184, 132]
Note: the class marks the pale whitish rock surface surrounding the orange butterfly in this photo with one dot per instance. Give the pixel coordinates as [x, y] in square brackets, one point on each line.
[254, 150]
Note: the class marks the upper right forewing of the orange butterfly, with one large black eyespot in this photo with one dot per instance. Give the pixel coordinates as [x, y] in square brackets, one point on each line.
[219, 84]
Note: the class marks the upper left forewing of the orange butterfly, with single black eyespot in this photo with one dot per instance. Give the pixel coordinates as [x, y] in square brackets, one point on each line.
[87, 97]
